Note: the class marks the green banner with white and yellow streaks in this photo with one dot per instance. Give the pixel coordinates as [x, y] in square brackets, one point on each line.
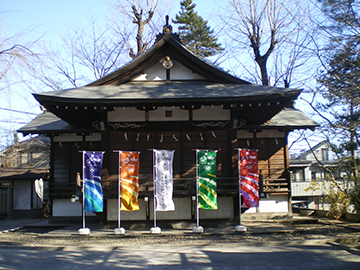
[207, 179]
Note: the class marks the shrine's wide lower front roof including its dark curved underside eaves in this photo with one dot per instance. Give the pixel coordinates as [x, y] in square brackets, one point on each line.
[84, 105]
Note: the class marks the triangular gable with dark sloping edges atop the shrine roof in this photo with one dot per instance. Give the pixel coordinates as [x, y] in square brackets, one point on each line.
[152, 59]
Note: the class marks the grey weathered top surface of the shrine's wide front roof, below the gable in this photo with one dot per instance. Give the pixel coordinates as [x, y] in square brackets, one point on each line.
[161, 93]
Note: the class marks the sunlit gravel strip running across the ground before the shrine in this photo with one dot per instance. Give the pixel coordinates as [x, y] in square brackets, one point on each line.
[324, 232]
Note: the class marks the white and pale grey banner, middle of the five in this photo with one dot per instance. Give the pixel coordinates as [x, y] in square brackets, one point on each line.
[164, 180]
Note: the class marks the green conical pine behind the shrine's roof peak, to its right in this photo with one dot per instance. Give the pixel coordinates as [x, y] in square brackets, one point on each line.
[194, 32]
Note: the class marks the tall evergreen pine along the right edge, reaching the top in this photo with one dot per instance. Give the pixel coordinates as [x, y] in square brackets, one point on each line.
[340, 83]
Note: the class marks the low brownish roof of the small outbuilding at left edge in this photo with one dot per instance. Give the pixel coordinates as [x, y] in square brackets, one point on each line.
[22, 173]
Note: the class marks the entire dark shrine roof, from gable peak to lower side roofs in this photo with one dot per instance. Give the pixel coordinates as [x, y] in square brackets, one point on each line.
[80, 107]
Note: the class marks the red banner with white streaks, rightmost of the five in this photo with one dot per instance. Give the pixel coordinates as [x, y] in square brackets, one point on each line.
[249, 177]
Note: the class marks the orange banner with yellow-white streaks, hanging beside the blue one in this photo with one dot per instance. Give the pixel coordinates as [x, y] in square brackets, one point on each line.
[129, 173]
